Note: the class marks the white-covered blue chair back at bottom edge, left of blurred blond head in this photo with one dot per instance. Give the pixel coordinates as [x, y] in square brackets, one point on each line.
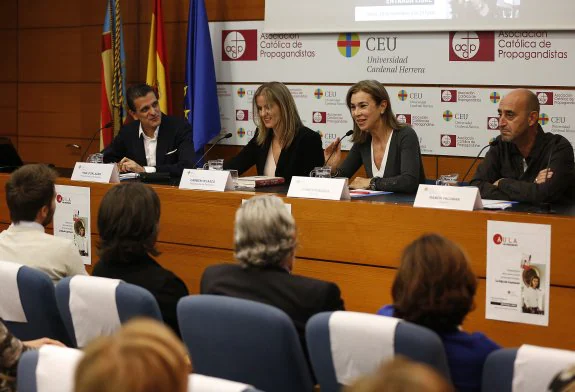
[50, 369]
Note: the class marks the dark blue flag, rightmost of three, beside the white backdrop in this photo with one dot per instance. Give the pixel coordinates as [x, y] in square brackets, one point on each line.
[200, 92]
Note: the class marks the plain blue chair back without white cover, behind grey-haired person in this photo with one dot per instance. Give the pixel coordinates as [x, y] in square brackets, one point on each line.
[244, 341]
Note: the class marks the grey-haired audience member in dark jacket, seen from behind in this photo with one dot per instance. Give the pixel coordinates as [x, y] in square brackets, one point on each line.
[265, 243]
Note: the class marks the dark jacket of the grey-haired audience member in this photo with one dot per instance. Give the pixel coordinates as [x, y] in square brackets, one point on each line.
[298, 296]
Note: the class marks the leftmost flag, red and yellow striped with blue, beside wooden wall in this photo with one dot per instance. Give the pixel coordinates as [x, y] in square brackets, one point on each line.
[113, 94]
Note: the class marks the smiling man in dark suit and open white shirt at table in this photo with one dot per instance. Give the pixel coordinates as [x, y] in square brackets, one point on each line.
[155, 142]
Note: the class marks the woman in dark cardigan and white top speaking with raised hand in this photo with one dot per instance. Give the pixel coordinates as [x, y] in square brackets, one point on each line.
[388, 149]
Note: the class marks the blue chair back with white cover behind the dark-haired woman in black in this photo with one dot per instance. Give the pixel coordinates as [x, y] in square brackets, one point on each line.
[126, 302]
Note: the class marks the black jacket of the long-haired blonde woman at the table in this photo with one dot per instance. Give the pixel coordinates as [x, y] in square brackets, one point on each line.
[305, 153]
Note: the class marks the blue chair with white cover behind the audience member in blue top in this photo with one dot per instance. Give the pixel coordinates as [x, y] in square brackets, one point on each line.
[410, 340]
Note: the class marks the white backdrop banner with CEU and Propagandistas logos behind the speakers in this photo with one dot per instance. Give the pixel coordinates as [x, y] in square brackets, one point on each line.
[453, 121]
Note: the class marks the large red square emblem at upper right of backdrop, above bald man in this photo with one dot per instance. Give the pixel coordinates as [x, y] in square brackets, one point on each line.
[472, 46]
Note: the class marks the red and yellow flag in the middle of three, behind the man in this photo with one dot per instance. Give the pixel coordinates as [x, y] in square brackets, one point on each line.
[158, 75]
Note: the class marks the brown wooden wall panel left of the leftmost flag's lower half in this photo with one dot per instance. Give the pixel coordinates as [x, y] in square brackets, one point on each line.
[58, 109]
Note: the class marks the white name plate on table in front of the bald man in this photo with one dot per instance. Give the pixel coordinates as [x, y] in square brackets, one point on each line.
[448, 197]
